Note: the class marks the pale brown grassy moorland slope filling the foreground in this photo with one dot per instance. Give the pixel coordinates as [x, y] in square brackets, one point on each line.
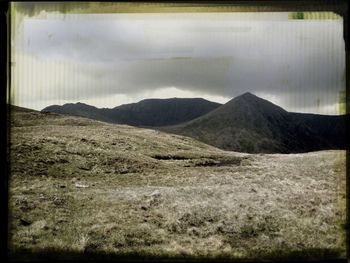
[79, 186]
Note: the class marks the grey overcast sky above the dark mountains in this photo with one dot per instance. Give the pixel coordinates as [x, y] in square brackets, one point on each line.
[110, 59]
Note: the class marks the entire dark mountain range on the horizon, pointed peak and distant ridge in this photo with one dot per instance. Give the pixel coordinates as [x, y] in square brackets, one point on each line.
[246, 123]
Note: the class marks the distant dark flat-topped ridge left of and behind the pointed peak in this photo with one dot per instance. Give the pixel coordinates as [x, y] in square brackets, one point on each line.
[149, 112]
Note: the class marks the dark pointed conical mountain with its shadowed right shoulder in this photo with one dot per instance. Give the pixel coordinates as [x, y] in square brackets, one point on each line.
[251, 124]
